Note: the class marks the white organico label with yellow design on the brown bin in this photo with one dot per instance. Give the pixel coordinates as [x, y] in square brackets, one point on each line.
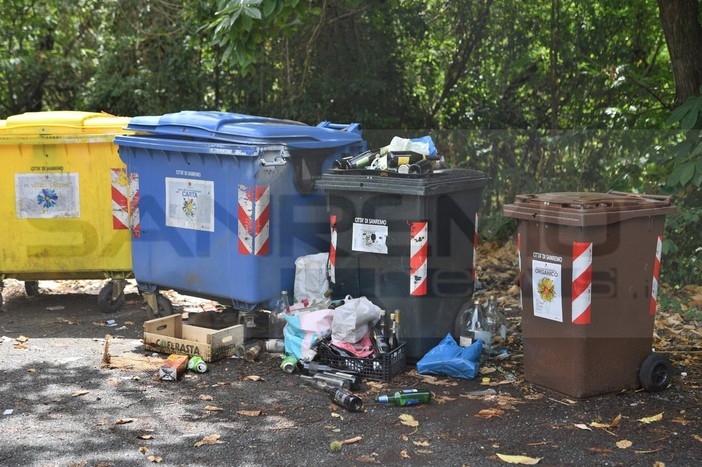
[546, 281]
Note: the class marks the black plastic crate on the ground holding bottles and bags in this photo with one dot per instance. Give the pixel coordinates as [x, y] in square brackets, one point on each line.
[381, 368]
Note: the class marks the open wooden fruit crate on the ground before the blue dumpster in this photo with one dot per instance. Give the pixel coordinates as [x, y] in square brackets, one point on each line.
[170, 335]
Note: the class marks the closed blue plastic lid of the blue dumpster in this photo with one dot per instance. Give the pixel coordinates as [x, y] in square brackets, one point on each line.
[241, 128]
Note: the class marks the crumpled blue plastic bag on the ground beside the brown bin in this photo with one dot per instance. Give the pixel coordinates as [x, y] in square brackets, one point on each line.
[450, 359]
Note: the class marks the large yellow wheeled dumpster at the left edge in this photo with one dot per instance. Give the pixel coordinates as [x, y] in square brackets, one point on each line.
[64, 201]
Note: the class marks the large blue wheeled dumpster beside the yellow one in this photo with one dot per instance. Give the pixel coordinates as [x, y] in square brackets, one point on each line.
[221, 204]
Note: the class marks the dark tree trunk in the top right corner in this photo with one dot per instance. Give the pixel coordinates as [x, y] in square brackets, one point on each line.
[683, 34]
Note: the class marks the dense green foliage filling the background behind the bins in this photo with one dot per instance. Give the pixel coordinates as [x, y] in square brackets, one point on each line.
[542, 96]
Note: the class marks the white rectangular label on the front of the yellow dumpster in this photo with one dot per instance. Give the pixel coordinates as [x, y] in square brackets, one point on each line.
[47, 196]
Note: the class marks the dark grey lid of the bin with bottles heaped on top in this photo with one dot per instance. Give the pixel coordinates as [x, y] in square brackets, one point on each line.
[436, 183]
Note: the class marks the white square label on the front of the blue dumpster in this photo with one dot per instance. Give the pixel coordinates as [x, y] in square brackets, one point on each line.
[190, 204]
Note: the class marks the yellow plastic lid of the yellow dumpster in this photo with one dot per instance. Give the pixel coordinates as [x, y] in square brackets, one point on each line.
[67, 122]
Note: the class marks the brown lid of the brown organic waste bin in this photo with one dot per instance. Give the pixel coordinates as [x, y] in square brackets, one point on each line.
[584, 209]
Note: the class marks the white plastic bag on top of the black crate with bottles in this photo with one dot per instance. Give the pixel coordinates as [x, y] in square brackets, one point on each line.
[354, 319]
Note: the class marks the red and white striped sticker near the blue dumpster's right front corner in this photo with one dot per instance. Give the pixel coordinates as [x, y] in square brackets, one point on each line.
[254, 220]
